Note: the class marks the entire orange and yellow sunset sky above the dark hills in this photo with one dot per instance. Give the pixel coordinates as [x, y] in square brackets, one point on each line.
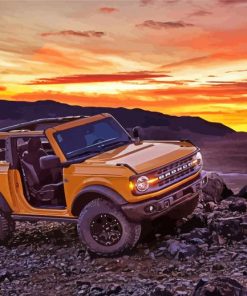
[179, 57]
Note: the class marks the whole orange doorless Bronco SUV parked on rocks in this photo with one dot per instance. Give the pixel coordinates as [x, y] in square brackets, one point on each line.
[105, 181]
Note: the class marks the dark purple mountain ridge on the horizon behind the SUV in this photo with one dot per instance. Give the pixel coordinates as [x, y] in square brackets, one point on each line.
[12, 112]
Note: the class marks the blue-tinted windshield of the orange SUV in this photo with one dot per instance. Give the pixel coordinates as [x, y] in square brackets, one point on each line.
[91, 138]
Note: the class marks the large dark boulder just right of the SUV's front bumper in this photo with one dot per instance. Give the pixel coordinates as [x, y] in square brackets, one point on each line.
[216, 189]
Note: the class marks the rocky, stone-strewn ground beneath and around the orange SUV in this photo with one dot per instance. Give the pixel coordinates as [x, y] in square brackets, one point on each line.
[207, 250]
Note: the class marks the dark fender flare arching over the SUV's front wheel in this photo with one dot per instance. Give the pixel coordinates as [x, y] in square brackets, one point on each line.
[91, 192]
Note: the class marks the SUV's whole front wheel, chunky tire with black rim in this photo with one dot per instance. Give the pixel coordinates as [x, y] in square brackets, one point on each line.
[105, 229]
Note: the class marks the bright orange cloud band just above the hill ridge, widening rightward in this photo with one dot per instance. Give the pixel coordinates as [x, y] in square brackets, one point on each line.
[173, 97]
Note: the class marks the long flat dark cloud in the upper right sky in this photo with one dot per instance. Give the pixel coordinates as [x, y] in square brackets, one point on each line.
[163, 25]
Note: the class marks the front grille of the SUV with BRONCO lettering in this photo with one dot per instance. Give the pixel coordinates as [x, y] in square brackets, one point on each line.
[176, 171]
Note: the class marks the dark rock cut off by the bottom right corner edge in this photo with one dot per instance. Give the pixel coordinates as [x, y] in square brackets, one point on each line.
[219, 287]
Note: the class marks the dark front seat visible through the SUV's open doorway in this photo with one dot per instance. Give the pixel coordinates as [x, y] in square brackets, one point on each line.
[39, 181]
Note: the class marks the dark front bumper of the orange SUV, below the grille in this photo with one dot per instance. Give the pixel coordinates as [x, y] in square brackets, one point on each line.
[157, 207]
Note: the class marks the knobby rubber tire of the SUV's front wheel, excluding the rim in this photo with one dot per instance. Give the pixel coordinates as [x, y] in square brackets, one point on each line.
[130, 231]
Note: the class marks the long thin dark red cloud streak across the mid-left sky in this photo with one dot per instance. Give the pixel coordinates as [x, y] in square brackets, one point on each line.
[93, 78]
